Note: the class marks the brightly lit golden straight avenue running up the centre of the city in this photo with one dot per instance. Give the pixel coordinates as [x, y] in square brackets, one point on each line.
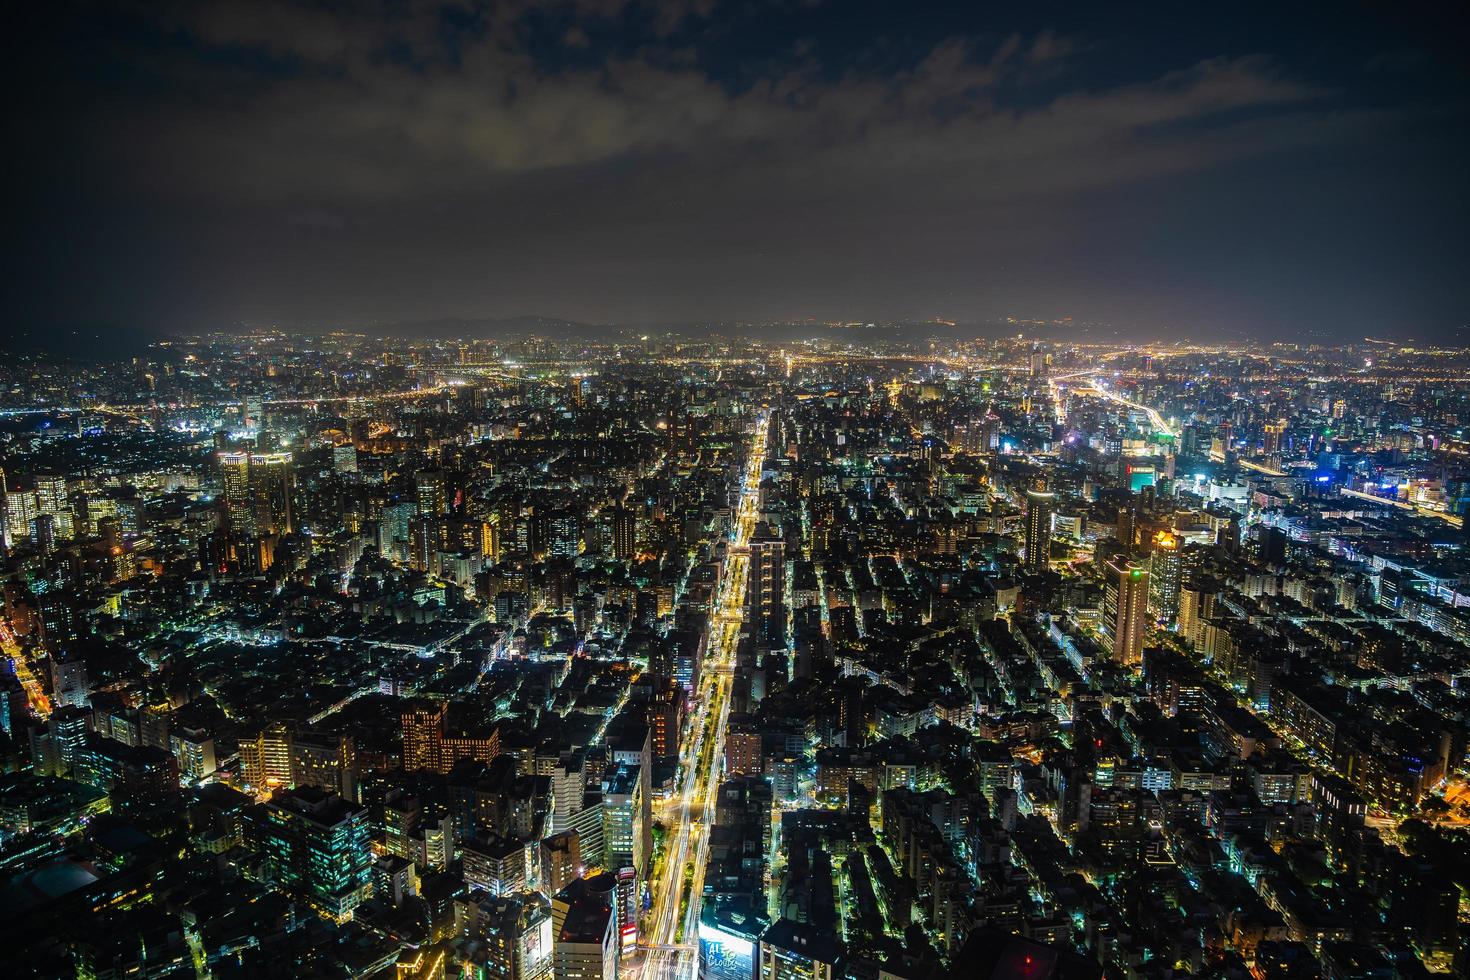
[673, 925]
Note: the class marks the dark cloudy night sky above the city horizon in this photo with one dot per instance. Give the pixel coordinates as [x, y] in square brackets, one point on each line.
[1291, 171]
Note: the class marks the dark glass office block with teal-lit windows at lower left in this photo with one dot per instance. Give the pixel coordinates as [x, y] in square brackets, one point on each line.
[317, 847]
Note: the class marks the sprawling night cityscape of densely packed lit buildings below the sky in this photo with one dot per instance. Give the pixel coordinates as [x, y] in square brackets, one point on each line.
[346, 657]
